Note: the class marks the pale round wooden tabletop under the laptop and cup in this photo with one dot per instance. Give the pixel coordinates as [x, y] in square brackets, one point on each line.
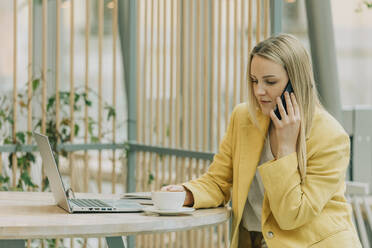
[25, 215]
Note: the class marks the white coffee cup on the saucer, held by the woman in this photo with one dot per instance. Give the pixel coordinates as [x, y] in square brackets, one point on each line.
[166, 200]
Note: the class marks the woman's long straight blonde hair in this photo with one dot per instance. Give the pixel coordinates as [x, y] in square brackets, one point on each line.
[286, 50]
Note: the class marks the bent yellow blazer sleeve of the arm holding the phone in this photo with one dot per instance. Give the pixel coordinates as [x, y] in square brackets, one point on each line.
[294, 204]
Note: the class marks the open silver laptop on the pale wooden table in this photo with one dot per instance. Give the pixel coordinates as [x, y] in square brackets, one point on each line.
[77, 205]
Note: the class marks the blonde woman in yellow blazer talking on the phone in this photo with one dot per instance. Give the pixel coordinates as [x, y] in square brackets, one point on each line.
[286, 174]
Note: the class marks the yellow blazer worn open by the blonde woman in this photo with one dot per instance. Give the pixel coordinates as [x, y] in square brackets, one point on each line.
[312, 214]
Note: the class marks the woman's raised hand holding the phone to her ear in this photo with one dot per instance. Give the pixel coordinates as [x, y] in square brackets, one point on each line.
[288, 128]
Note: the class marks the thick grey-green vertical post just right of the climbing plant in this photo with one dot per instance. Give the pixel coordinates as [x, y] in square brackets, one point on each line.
[128, 40]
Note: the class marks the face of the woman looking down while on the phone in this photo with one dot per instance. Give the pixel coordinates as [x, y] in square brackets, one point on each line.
[269, 80]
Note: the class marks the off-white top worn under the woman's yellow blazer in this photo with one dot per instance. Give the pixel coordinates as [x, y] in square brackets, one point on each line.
[253, 207]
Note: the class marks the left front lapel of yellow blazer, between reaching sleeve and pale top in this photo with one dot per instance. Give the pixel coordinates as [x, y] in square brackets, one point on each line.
[251, 145]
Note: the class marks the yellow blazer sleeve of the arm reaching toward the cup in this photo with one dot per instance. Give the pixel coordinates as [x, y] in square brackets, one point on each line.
[212, 189]
